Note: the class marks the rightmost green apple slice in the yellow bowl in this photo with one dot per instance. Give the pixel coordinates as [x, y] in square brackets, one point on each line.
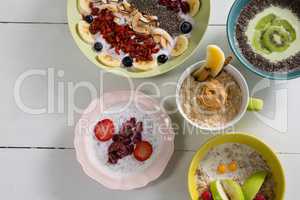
[253, 184]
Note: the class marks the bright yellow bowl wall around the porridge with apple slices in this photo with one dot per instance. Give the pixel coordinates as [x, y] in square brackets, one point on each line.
[267, 153]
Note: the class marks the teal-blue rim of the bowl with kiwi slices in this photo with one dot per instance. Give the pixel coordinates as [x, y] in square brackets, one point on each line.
[249, 66]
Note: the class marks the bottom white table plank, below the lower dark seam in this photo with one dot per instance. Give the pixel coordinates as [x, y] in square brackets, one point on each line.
[55, 174]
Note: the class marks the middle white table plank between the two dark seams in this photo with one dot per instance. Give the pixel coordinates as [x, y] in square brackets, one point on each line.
[39, 46]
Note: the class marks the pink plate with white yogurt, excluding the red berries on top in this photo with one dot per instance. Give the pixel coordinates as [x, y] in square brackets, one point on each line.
[127, 173]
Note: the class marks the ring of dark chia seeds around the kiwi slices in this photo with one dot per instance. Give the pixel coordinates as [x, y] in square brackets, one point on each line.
[254, 7]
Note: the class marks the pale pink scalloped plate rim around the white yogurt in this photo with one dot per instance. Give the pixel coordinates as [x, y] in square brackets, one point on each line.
[165, 146]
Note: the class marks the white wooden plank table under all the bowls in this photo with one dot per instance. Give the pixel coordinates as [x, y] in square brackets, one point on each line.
[36, 151]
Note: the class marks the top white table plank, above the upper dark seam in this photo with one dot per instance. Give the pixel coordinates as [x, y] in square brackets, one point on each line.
[54, 11]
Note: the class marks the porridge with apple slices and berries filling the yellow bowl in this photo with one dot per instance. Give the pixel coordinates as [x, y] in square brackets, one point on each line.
[238, 171]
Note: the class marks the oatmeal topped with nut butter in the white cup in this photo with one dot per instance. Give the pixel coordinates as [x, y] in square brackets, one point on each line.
[211, 103]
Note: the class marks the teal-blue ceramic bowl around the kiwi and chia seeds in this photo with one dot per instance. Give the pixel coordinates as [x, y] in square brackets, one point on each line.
[231, 26]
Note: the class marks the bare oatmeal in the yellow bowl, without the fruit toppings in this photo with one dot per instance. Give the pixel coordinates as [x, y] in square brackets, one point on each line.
[248, 161]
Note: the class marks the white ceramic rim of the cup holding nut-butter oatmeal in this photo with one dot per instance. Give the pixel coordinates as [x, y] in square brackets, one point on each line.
[239, 78]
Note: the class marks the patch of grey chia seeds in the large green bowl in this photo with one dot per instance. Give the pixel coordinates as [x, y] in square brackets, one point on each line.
[169, 20]
